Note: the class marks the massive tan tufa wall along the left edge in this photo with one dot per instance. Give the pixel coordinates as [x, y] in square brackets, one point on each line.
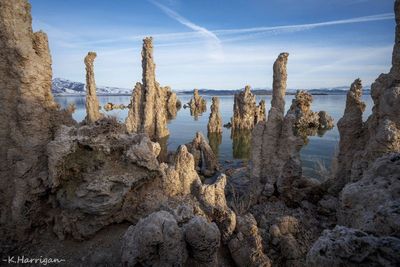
[28, 115]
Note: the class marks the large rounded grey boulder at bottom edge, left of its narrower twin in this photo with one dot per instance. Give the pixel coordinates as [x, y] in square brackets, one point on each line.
[155, 240]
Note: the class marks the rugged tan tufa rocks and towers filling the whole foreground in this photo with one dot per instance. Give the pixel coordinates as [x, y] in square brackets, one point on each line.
[99, 194]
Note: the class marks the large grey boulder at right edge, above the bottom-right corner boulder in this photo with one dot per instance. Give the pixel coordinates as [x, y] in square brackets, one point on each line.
[372, 204]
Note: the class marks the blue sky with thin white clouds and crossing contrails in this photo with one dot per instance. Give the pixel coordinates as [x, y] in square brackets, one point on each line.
[220, 44]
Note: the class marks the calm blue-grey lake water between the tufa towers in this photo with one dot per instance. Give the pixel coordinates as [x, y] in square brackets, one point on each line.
[184, 126]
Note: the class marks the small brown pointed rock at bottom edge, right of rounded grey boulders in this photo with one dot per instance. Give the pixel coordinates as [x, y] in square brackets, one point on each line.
[246, 246]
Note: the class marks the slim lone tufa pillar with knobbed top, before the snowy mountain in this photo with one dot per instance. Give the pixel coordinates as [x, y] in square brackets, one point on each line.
[92, 103]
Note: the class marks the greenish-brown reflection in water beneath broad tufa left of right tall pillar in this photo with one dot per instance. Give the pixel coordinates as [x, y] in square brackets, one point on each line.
[241, 144]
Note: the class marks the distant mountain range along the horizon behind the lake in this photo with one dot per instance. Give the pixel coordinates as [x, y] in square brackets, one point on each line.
[64, 87]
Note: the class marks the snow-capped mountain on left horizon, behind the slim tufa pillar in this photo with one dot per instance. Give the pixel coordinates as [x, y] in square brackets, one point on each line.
[62, 87]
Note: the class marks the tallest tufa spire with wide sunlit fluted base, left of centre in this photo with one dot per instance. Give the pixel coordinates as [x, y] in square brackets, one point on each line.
[151, 105]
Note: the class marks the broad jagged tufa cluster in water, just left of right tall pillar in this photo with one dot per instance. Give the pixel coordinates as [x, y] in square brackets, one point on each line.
[246, 114]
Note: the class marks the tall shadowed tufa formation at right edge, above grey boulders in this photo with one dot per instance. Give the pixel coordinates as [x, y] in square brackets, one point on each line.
[363, 142]
